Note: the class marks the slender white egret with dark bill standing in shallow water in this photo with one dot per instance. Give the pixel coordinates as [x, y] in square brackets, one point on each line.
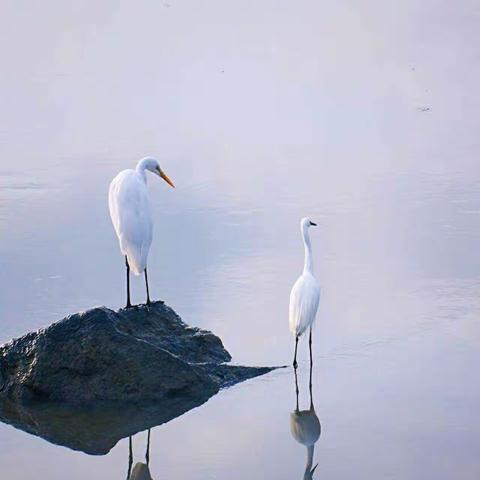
[305, 294]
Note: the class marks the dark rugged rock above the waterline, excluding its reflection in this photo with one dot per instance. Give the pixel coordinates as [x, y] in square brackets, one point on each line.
[139, 355]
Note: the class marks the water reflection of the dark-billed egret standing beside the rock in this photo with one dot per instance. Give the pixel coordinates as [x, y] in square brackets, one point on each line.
[305, 427]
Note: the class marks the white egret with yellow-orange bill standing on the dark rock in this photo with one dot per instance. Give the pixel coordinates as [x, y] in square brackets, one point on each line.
[131, 215]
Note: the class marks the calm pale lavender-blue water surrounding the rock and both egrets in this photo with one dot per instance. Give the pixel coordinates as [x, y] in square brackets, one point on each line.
[261, 114]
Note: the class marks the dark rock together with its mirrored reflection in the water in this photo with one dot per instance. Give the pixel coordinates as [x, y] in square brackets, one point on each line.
[95, 377]
